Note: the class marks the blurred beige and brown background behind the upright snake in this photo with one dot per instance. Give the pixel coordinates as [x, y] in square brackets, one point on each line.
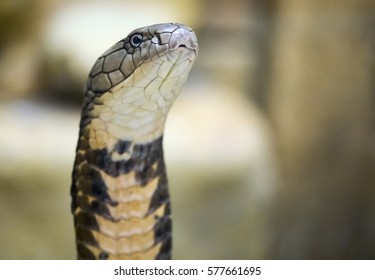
[269, 149]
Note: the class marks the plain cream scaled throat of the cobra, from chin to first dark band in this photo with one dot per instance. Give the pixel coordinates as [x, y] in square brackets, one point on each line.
[136, 109]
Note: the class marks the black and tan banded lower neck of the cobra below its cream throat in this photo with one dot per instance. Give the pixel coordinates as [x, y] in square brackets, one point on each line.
[120, 200]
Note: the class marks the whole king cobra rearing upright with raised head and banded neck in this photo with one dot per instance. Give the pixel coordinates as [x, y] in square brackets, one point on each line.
[120, 198]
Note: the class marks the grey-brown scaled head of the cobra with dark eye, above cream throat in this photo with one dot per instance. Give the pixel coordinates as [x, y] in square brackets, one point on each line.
[156, 43]
